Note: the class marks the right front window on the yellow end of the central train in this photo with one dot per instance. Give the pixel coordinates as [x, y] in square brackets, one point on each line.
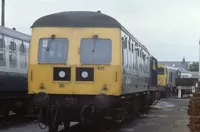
[95, 51]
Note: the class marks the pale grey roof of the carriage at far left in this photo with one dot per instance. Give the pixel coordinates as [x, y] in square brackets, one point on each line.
[14, 34]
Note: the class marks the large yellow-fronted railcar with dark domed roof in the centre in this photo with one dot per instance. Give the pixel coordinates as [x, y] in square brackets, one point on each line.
[85, 64]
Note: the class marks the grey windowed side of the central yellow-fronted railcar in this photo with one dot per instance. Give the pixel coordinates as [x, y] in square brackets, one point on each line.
[136, 65]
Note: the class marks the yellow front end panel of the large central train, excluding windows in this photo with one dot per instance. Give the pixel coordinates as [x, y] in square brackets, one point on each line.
[107, 77]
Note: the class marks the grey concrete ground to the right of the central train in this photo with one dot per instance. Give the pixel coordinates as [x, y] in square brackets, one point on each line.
[167, 115]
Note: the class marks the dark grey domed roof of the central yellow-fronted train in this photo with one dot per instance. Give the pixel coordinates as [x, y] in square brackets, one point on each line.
[81, 19]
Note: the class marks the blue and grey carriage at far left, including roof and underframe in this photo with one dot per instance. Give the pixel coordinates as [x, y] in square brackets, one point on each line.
[14, 48]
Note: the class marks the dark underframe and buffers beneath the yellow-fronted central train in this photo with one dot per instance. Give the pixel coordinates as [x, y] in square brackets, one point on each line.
[100, 111]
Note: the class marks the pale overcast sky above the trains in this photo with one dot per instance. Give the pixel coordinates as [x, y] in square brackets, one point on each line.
[170, 29]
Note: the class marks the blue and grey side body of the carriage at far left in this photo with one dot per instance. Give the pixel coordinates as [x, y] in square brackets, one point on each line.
[13, 60]
